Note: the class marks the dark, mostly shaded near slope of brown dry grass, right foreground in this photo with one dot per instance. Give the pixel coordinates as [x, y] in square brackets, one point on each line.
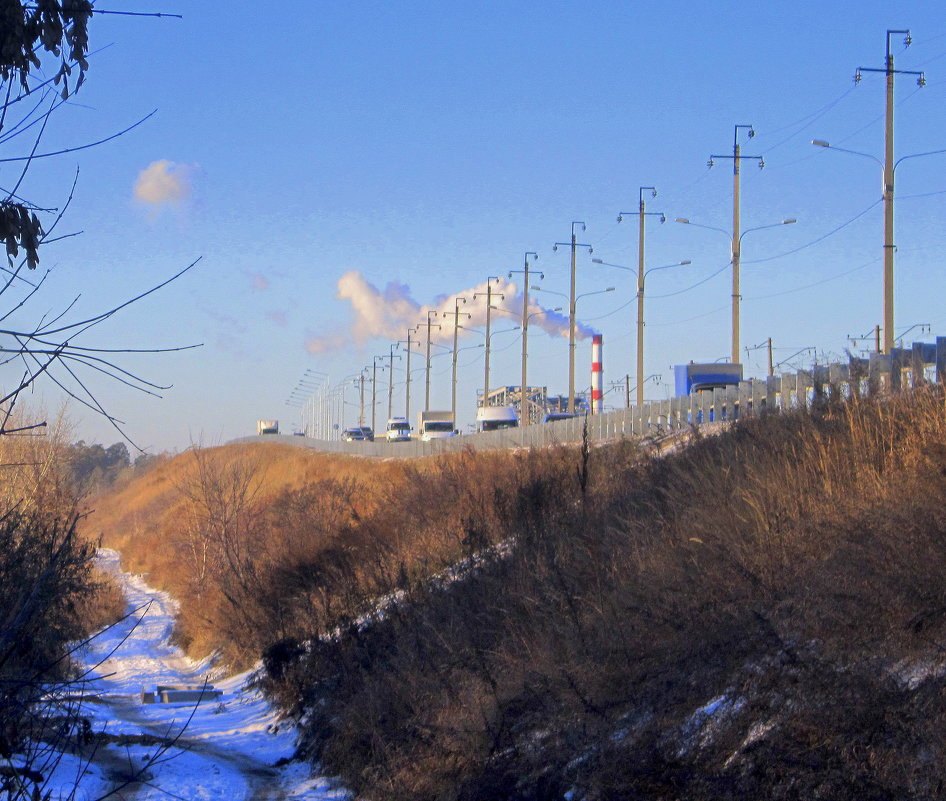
[792, 567]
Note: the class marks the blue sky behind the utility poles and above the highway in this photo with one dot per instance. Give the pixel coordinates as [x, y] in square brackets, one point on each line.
[419, 148]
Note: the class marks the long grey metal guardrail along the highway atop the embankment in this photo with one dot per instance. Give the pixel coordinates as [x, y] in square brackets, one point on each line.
[904, 367]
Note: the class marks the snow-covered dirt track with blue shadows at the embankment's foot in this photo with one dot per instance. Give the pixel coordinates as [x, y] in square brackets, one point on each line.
[224, 749]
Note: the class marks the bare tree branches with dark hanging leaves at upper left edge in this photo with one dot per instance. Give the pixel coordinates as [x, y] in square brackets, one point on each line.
[37, 40]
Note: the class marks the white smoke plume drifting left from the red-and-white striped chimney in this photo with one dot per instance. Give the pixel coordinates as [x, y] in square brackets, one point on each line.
[389, 313]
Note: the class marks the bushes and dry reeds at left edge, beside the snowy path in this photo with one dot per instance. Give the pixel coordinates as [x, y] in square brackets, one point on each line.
[51, 595]
